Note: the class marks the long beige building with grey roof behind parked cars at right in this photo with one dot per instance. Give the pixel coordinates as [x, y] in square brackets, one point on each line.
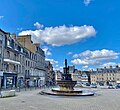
[106, 76]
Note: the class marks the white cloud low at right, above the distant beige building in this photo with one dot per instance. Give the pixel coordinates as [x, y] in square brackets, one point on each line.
[94, 57]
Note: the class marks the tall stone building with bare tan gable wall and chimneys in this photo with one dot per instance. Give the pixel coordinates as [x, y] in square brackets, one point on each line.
[35, 60]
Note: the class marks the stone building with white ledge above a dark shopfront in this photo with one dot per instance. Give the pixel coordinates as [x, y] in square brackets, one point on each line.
[10, 65]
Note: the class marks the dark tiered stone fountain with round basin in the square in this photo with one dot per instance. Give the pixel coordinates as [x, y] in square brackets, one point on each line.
[66, 86]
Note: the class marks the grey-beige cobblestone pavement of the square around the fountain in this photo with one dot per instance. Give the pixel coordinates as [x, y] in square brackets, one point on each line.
[104, 99]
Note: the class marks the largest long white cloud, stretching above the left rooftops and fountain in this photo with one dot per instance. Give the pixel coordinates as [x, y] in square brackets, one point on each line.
[61, 35]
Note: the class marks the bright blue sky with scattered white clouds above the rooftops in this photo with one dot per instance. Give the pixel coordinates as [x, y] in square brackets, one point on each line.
[86, 32]
